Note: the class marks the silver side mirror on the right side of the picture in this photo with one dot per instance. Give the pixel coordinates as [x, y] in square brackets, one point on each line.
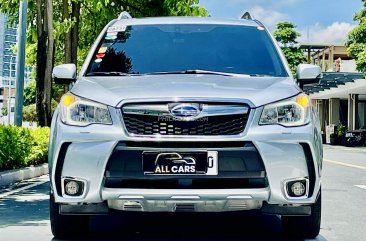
[308, 74]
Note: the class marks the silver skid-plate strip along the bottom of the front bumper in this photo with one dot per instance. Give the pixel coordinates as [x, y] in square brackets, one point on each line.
[196, 200]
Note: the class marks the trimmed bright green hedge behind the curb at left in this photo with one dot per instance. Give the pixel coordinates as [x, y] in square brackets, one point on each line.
[21, 147]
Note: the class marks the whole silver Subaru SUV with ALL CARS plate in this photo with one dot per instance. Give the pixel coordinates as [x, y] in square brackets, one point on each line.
[182, 114]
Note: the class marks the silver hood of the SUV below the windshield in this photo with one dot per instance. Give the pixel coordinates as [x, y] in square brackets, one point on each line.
[257, 90]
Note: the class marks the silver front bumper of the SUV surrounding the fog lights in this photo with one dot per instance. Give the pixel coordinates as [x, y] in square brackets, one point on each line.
[89, 149]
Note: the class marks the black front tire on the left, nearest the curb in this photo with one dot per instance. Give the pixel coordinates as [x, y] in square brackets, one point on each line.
[67, 226]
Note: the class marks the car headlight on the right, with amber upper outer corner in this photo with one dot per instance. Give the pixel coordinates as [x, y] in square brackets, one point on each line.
[291, 112]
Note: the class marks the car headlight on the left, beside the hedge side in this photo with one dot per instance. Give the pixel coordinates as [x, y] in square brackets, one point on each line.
[81, 112]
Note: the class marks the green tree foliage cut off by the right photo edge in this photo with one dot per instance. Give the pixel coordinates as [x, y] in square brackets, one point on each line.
[356, 43]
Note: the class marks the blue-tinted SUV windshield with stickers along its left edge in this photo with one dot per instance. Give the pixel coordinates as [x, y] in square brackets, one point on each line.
[147, 49]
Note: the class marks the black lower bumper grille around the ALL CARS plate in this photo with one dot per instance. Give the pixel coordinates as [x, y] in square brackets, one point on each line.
[239, 168]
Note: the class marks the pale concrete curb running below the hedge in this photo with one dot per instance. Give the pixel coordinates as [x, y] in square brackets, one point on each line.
[9, 177]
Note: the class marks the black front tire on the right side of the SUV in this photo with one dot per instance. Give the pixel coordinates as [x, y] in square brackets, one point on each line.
[304, 227]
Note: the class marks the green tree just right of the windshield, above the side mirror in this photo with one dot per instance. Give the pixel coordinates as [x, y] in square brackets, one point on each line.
[286, 35]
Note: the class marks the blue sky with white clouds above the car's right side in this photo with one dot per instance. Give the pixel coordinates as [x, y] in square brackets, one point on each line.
[318, 21]
